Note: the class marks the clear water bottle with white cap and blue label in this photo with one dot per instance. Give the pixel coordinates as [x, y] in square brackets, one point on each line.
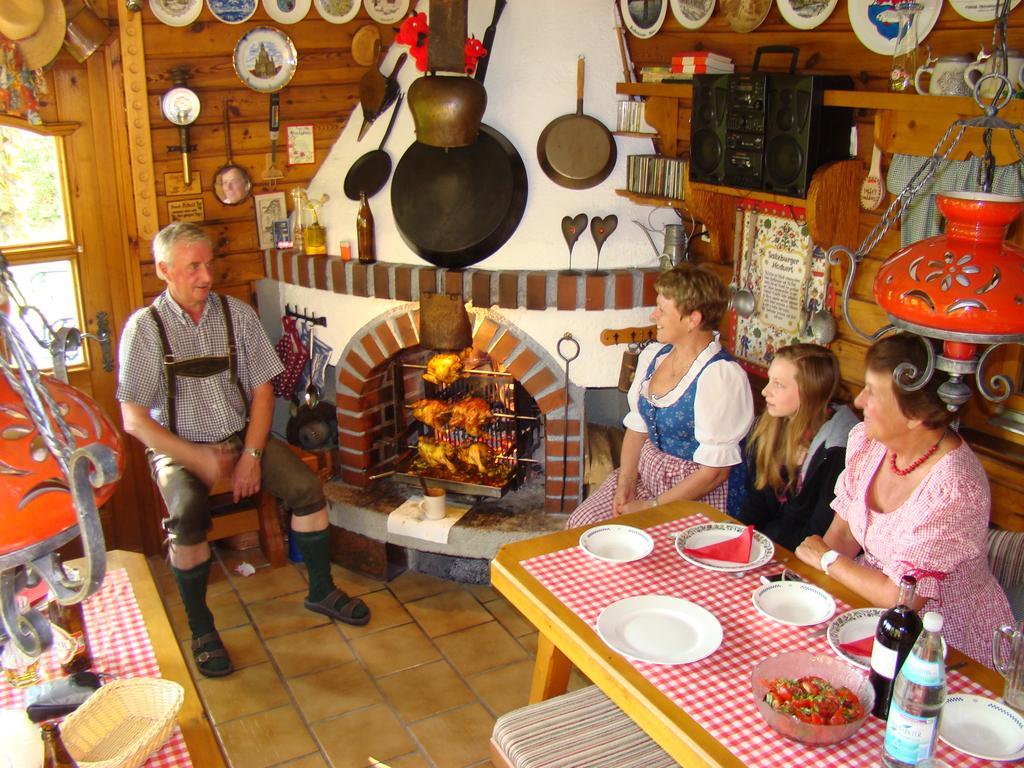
[918, 698]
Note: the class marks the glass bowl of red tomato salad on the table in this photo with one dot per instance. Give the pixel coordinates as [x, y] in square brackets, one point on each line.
[818, 700]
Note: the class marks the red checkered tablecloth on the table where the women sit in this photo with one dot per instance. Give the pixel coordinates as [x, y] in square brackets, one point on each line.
[716, 692]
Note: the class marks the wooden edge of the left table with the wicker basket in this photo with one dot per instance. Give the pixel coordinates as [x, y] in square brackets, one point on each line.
[192, 718]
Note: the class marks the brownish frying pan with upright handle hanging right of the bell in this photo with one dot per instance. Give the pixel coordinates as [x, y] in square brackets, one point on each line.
[577, 151]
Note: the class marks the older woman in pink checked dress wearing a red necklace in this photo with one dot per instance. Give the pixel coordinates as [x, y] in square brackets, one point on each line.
[914, 499]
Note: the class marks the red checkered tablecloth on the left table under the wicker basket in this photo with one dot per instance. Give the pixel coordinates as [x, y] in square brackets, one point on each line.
[120, 648]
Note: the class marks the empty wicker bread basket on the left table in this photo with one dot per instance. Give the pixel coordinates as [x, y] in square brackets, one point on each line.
[123, 723]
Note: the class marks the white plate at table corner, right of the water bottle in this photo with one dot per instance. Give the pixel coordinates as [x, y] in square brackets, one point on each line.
[983, 728]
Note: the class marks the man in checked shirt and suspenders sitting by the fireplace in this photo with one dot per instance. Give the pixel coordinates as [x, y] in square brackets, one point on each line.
[195, 389]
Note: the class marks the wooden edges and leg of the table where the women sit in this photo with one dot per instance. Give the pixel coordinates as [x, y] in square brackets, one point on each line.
[566, 641]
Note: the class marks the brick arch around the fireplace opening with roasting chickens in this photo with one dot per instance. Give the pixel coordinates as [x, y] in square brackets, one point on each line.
[363, 407]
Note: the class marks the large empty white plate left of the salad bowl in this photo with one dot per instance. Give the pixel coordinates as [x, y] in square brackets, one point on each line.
[660, 629]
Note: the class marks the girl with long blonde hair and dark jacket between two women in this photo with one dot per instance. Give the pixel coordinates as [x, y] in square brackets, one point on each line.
[798, 448]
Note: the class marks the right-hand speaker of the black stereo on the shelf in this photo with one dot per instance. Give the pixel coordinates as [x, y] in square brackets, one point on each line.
[801, 134]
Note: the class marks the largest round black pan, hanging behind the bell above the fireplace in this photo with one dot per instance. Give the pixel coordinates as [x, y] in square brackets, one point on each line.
[456, 207]
